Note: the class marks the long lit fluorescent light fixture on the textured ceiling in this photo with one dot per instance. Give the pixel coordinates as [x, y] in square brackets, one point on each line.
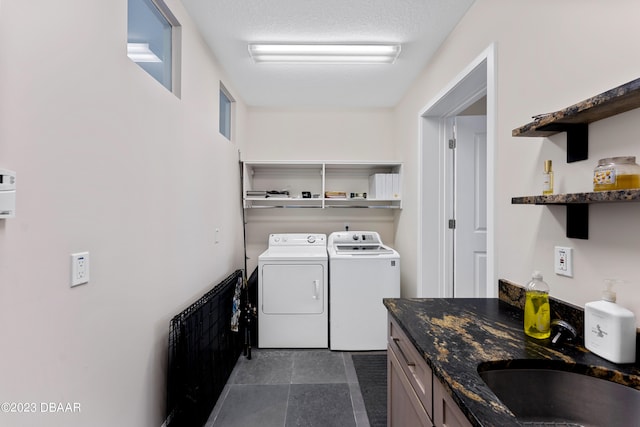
[324, 53]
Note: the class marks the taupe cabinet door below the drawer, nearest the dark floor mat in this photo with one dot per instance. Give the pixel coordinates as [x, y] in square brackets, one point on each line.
[403, 406]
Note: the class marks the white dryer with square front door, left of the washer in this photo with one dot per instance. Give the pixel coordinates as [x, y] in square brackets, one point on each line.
[293, 302]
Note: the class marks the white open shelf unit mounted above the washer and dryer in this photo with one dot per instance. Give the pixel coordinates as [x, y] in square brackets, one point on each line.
[310, 184]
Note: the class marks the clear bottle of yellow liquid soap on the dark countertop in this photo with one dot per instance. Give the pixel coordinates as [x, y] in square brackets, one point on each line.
[537, 314]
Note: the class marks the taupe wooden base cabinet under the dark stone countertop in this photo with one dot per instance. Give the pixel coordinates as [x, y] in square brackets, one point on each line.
[414, 396]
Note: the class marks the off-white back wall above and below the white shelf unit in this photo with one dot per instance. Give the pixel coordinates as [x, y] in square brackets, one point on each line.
[317, 134]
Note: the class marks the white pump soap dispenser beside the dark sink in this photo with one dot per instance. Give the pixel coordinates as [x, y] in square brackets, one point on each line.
[610, 329]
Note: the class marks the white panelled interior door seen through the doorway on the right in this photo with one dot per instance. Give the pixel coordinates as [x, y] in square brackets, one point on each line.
[470, 207]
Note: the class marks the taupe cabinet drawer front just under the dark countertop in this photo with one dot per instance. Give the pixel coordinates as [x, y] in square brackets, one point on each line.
[413, 365]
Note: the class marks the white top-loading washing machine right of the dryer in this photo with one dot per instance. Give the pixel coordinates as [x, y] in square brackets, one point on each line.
[362, 271]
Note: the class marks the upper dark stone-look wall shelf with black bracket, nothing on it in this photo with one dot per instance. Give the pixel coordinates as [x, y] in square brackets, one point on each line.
[575, 119]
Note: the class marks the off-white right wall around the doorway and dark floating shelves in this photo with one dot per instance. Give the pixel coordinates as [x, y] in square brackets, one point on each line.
[549, 55]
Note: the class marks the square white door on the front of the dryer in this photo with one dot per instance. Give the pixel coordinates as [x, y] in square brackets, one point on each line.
[293, 289]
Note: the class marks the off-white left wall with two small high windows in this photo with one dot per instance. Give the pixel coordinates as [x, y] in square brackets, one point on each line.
[109, 162]
